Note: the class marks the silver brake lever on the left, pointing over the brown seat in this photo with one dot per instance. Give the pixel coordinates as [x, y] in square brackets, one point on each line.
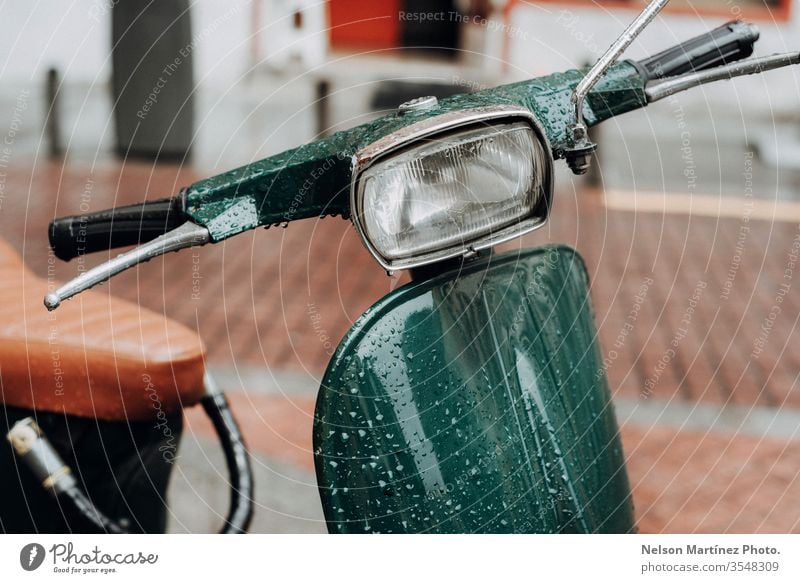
[188, 234]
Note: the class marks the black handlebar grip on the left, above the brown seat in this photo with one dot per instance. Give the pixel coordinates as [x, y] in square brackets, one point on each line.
[138, 223]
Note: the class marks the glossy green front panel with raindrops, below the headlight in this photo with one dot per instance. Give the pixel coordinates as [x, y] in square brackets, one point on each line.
[474, 403]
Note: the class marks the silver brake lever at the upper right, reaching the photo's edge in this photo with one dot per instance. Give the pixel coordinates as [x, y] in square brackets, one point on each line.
[673, 85]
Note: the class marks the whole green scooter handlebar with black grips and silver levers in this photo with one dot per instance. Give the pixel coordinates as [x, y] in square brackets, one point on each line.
[313, 180]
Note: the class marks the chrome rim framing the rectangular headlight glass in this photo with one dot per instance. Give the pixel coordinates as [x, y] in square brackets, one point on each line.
[443, 124]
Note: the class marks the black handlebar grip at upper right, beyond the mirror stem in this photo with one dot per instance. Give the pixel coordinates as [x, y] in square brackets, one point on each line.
[729, 43]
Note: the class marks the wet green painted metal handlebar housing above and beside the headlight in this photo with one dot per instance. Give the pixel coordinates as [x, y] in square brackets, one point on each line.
[314, 180]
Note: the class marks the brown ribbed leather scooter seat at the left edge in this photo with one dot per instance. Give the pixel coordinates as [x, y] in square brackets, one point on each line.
[96, 356]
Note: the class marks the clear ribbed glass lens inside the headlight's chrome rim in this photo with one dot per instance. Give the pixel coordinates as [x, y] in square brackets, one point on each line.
[452, 190]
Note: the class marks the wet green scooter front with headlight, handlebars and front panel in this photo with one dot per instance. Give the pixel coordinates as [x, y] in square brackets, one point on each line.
[474, 398]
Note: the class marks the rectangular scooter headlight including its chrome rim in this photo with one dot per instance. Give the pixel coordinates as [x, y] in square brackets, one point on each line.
[452, 185]
